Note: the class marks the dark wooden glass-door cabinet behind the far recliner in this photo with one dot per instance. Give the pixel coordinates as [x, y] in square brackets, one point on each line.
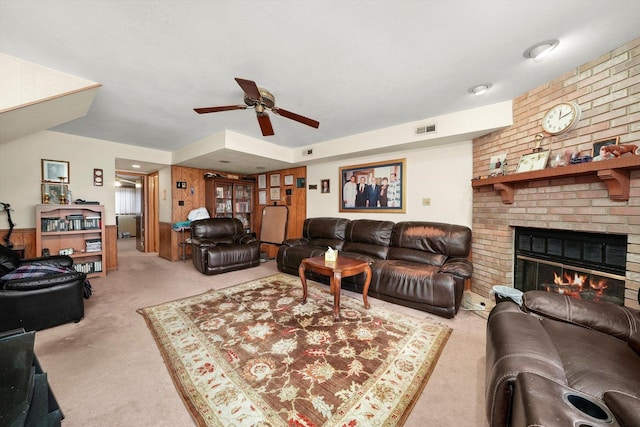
[226, 198]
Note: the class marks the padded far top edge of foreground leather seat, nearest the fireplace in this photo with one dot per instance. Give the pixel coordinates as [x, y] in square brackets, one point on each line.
[611, 319]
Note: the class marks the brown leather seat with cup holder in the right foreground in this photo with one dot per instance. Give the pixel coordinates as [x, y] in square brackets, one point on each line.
[561, 361]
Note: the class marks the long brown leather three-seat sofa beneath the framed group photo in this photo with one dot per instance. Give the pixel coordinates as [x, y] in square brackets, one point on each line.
[422, 265]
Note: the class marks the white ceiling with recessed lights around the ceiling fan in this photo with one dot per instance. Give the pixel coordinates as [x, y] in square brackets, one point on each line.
[353, 65]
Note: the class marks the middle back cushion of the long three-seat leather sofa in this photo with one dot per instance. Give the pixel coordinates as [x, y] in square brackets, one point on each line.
[368, 237]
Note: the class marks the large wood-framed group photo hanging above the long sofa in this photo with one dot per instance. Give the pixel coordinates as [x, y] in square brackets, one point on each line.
[374, 187]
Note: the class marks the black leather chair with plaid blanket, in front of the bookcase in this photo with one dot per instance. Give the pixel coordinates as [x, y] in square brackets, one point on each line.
[35, 301]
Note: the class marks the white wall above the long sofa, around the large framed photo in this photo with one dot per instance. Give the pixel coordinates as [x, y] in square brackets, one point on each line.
[442, 173]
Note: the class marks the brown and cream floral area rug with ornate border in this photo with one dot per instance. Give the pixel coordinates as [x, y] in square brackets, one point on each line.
[254, 355]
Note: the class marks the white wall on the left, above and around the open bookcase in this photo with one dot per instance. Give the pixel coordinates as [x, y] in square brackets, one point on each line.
[21, 177]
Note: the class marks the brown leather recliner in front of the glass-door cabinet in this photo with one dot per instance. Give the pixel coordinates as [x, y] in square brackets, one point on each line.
[220, 245]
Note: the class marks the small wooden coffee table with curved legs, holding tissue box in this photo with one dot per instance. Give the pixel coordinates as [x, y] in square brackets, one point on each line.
[336, 270]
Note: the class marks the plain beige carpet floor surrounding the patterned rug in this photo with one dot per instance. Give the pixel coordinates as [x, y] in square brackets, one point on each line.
[106, 370]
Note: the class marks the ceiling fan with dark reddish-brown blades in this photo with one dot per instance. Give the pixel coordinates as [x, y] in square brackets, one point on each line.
[261, 100]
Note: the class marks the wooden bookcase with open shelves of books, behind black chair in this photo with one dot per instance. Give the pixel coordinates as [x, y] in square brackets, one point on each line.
[77, 230]
